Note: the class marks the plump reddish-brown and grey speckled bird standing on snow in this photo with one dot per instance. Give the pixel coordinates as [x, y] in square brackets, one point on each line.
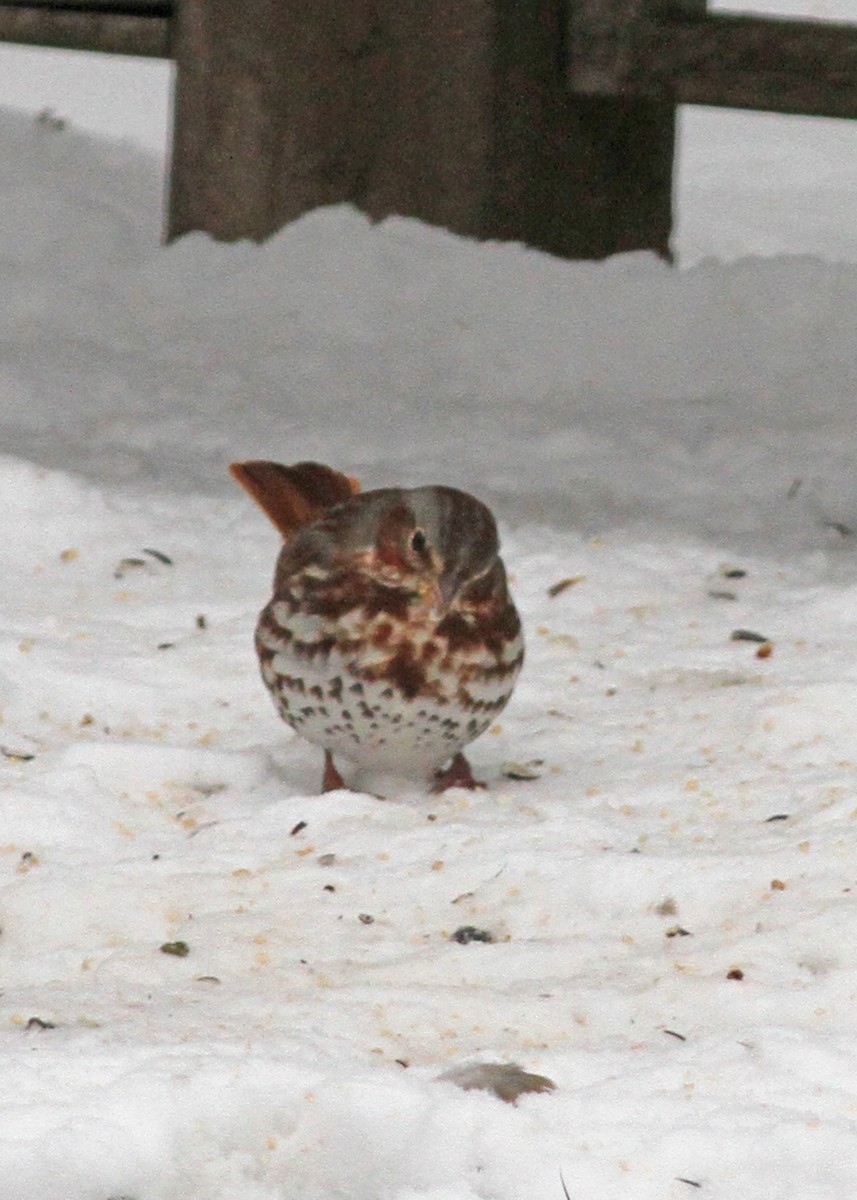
[391, 638]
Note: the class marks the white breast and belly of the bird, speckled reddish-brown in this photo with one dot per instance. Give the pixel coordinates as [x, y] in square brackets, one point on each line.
[389, 695]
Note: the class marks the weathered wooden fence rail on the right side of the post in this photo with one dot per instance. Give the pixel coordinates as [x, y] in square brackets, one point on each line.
[806, 68]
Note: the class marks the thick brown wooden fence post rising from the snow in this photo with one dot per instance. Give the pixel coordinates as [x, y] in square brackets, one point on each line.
[457, 112]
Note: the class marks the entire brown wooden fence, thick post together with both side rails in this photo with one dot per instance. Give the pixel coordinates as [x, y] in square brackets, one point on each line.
[547, 122]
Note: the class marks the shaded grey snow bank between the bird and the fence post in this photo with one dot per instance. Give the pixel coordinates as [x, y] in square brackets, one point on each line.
[716, 401]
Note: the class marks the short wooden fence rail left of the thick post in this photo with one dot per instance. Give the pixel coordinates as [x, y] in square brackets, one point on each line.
[75, 31]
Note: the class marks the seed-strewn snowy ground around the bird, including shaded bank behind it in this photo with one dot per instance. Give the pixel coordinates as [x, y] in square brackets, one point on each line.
[670, 903]
